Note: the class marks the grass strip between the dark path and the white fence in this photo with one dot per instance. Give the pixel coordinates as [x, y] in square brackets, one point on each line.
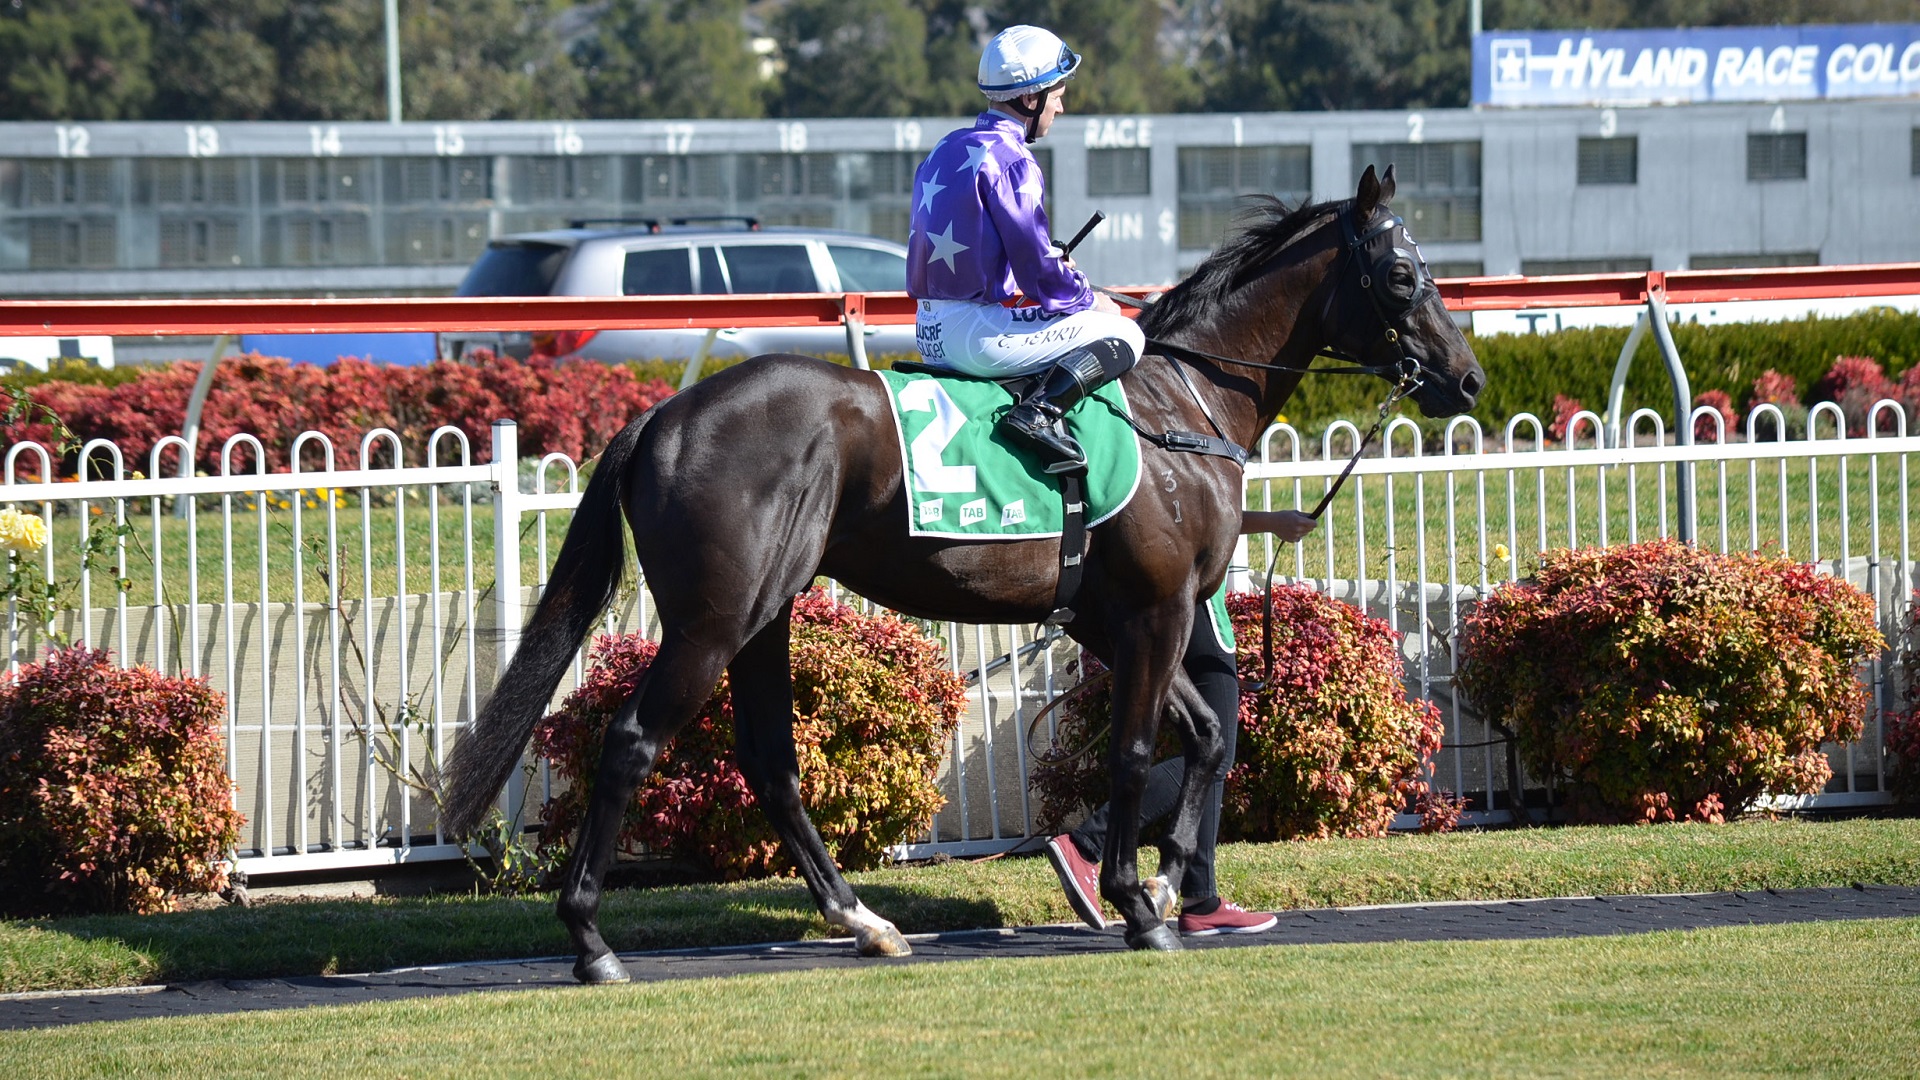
[347, 937]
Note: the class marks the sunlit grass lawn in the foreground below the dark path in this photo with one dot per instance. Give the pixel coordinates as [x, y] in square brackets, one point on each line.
[1831, 1000]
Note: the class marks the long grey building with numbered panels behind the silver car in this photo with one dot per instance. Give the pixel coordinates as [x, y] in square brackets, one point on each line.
[372, 209]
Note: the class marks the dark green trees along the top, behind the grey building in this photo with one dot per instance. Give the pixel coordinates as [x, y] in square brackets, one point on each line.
[306, 61]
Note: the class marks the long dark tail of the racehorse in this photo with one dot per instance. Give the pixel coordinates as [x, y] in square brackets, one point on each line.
[585, 579]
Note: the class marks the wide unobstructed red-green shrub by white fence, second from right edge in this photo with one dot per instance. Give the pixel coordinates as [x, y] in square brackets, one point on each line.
[1662, 681]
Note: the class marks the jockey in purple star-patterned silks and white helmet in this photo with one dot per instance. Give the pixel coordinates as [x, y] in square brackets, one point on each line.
[980, 243]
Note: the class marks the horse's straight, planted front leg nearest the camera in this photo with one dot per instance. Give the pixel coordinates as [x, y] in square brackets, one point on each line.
[1145, 658]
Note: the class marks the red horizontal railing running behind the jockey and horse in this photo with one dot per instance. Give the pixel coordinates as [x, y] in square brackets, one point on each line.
[74, 318]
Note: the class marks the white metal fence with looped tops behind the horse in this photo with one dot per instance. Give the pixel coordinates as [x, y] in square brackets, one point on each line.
[352, 608]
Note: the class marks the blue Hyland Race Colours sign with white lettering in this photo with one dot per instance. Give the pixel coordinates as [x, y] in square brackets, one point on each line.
[1719, 64]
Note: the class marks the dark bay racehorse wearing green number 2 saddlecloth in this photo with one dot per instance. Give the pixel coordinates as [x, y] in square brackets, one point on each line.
[746, 487]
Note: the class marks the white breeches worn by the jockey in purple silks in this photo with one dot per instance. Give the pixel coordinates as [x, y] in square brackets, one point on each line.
[996, 341]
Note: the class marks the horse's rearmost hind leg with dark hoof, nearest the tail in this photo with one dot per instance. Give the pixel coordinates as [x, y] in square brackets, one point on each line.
[677, 685]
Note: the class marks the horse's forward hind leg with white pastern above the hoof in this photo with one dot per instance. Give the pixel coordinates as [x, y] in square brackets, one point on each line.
[763, 735]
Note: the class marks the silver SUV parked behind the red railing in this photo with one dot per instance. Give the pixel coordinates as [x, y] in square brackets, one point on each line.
[681, 258]
